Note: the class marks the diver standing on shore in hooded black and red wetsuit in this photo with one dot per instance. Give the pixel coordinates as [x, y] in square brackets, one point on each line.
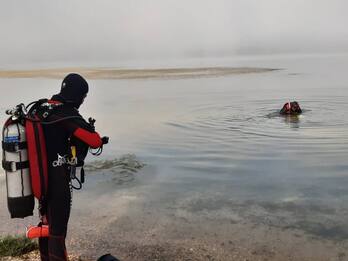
[59, 138]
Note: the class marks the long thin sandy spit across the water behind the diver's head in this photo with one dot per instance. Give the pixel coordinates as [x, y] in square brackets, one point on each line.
[105, 73]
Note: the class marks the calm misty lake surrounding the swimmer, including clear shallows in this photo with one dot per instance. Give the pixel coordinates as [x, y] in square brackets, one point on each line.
[221, 165]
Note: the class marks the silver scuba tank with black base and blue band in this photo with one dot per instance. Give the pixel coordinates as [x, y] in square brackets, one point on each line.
[15, 162]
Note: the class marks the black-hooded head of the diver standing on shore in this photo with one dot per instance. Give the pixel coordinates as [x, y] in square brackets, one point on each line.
[74, 89]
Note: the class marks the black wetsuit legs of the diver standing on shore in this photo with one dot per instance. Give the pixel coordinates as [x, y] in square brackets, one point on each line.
[58, 212]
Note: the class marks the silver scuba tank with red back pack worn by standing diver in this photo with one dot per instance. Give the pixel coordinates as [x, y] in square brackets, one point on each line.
[24, 160]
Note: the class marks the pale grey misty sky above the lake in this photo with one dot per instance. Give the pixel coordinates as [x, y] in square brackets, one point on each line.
[86, 30]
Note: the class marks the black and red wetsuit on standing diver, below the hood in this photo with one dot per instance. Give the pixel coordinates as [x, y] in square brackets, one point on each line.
[58, 139]
